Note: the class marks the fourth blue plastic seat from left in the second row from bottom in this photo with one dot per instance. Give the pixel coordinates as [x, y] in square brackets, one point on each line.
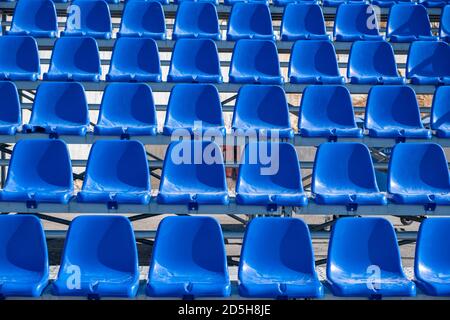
[277, 183]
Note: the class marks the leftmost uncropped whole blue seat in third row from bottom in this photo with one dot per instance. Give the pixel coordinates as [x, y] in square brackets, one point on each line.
[59, 108]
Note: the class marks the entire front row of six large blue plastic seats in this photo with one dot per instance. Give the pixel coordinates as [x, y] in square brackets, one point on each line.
[189, 259]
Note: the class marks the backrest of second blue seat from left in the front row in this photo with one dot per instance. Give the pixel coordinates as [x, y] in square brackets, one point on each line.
[100, 243]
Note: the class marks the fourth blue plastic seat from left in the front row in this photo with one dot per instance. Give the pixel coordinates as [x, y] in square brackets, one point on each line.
[280, 265]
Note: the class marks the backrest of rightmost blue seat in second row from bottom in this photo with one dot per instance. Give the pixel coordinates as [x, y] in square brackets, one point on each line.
[417, 167]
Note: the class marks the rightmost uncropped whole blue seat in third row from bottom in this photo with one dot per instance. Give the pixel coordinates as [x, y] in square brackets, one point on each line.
[393, 112]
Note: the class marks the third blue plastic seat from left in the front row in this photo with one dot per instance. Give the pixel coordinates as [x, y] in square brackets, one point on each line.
[189, 259]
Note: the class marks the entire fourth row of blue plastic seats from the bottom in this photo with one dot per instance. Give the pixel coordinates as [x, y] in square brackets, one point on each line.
[197, 60]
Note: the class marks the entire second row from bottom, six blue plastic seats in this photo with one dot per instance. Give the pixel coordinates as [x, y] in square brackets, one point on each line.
[193, 174]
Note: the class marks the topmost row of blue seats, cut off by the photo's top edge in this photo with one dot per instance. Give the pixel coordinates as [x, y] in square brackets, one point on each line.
[282, 3]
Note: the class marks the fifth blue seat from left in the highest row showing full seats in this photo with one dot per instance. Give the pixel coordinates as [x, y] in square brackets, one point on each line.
[250, 21]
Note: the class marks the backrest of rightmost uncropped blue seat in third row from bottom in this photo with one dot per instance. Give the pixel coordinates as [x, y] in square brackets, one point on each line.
[392, 105]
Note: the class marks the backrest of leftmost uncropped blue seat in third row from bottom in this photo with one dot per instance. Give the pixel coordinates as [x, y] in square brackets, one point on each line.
[60, 102]
